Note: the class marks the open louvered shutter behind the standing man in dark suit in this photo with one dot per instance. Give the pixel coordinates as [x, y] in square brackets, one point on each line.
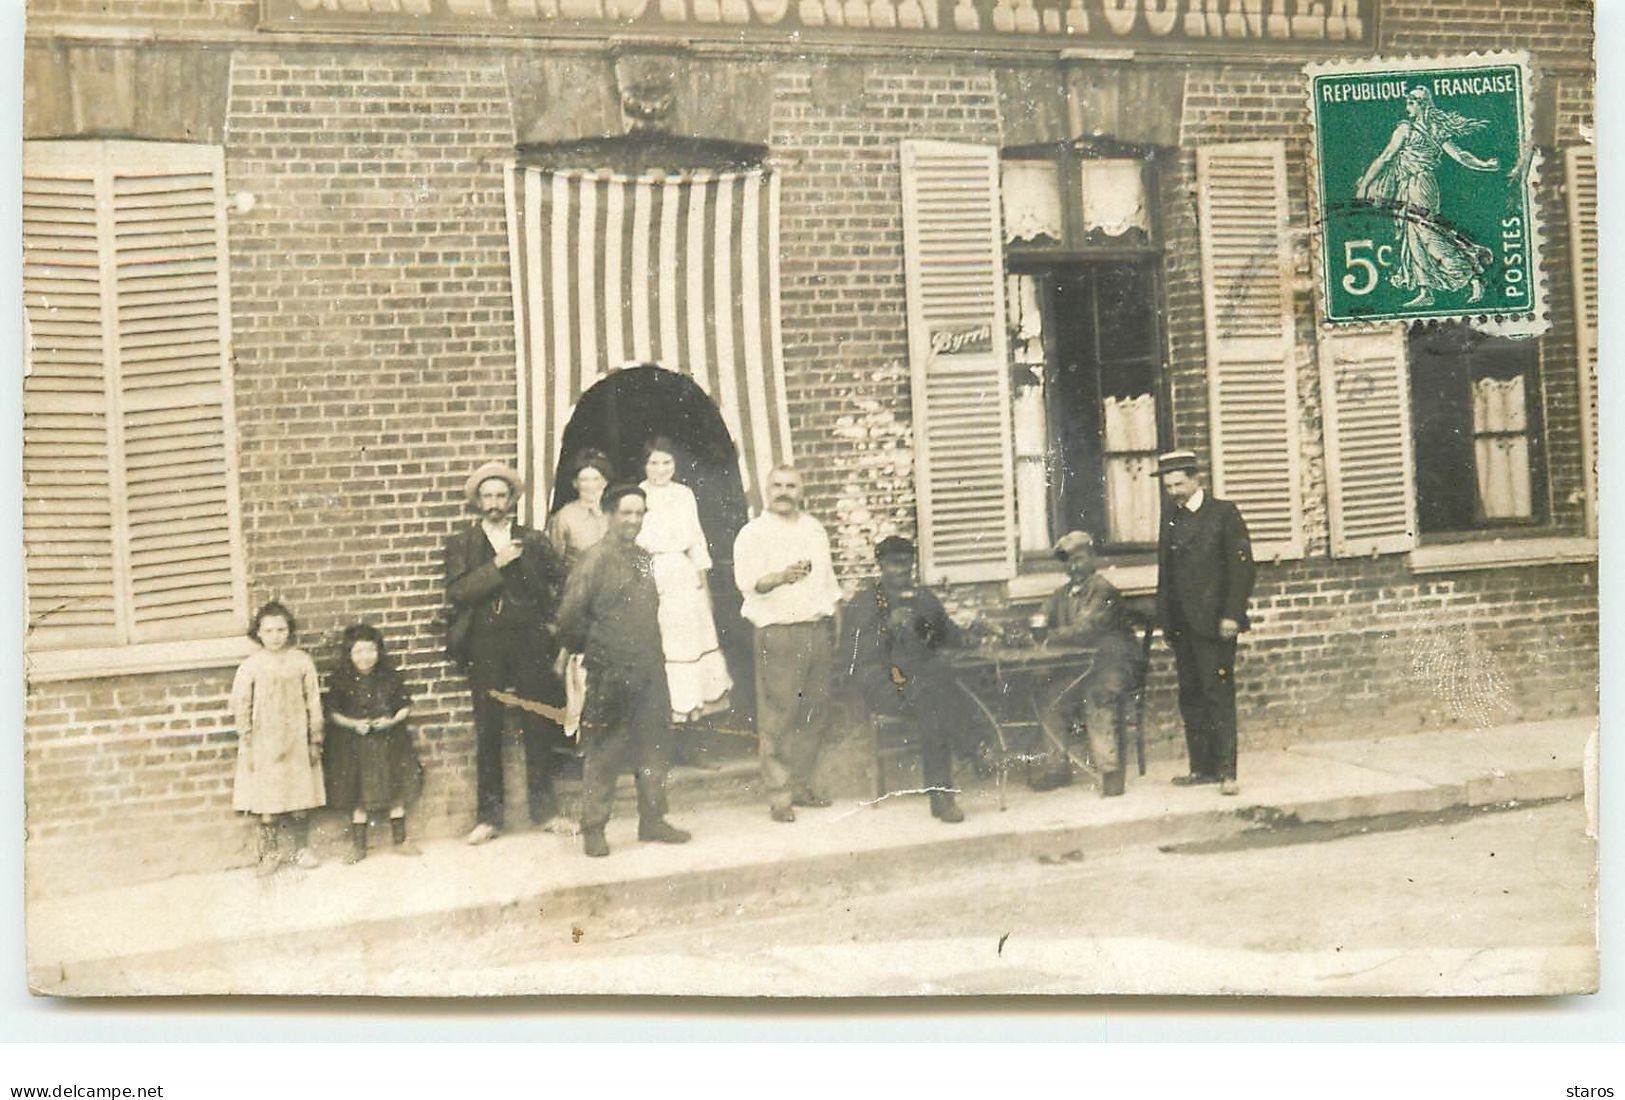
[1252, 378]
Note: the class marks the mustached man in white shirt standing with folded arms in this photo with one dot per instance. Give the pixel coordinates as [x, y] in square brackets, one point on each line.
[784, 569]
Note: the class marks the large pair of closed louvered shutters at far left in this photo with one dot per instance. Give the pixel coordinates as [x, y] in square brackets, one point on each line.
[131, 518]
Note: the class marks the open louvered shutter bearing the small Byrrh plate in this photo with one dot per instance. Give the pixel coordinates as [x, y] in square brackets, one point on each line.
[961, 399]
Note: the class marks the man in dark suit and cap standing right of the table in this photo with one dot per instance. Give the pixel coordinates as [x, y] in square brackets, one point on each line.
[1205, 579]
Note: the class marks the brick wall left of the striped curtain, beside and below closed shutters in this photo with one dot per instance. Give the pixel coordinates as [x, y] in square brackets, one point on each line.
[375, 368]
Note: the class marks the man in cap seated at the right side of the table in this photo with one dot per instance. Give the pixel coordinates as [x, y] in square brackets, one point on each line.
[1086, 612]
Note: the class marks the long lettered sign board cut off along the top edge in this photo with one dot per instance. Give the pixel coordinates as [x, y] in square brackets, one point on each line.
[1172, 25]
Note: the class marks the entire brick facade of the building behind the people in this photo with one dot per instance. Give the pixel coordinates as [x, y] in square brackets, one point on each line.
[375, 366]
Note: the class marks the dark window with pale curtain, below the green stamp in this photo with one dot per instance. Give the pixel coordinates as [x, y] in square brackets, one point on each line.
[1476, 431]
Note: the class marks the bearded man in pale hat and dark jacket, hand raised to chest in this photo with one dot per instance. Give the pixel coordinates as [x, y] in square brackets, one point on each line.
[505, 584]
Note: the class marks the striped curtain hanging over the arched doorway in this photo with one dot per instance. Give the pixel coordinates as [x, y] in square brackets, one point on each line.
[675, 271]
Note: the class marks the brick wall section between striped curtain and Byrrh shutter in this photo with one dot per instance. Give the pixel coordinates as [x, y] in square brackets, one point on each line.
[838, 131]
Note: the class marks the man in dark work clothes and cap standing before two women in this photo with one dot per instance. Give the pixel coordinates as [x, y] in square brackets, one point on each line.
[612, 615]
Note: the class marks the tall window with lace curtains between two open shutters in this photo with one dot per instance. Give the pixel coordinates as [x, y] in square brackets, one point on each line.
[1085, 314]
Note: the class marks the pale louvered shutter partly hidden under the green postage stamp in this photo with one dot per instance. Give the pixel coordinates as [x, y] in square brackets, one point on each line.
[1366, 399]
